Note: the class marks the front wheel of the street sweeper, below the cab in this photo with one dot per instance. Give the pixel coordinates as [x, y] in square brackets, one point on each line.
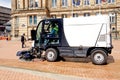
[51, 55]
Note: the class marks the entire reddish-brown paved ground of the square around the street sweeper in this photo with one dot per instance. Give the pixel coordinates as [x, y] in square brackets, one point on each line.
[81, 69]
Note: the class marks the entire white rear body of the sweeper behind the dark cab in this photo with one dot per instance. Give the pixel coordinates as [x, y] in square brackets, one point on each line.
[84, 31]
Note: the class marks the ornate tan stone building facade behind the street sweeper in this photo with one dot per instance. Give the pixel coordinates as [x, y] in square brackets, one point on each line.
[26, 14]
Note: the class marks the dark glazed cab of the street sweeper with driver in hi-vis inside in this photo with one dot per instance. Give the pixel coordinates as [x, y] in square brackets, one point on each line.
[48, 33]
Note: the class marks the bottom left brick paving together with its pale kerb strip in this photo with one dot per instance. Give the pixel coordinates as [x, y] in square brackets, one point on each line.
[8, 73]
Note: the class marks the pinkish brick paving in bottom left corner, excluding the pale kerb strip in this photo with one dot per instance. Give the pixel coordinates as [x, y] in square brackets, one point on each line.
[17, 74]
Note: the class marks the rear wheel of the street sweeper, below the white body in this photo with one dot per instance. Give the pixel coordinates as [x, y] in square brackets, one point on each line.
[99, 56]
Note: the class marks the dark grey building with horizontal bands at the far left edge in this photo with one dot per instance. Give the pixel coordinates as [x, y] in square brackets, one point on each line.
[5, 16]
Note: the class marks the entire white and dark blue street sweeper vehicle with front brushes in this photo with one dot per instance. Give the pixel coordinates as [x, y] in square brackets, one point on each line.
[72, 37]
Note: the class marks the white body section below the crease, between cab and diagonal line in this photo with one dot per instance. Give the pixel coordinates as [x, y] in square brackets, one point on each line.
[82, 35]
